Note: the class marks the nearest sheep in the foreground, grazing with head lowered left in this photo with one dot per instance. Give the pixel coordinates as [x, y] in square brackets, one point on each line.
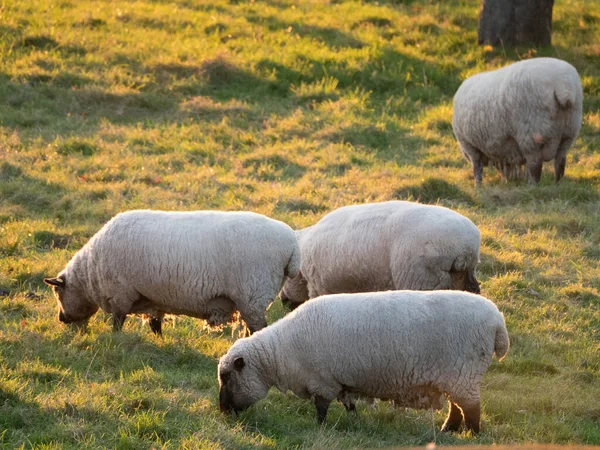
[411, 347]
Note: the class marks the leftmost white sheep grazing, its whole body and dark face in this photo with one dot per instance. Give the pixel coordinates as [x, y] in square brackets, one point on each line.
[204, 264]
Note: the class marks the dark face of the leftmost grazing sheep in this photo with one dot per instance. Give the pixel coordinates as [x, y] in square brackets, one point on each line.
[72, 308]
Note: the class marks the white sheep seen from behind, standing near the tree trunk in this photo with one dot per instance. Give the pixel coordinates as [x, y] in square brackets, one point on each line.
[522, 114]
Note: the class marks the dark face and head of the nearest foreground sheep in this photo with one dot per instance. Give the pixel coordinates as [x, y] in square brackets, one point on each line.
[240, 384]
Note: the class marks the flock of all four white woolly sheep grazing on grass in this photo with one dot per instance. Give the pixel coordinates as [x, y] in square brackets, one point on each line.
[384, 296]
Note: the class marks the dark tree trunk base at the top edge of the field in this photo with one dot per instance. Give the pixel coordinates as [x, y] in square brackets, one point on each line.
[511, 22]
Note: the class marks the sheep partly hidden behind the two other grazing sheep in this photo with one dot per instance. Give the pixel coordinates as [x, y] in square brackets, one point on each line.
[383, 246]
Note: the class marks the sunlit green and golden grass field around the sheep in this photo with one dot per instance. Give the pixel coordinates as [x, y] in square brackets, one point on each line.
[291, 109]
